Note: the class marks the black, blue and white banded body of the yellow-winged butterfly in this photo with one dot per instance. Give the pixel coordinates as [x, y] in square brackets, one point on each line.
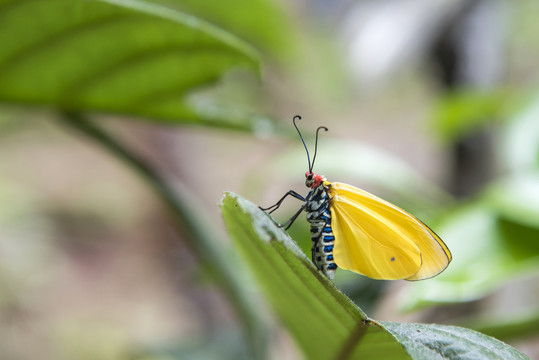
[322, 237]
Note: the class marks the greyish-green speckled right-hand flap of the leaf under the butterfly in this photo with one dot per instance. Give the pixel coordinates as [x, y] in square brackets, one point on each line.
[437, 342]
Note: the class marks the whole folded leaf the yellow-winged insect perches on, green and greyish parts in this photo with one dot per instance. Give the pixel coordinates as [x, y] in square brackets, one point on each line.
[324, 322]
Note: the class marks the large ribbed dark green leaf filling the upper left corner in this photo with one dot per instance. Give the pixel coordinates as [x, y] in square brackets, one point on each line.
[116, 56]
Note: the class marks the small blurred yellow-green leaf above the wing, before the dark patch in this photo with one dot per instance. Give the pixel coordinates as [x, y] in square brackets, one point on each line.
[464, 111]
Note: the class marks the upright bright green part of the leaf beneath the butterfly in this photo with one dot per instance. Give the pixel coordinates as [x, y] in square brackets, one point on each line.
[321, 318]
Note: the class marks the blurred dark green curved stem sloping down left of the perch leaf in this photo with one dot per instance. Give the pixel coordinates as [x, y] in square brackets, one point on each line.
[198, 236]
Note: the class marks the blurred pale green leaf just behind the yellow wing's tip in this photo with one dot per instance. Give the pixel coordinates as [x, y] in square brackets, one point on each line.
[480, 262]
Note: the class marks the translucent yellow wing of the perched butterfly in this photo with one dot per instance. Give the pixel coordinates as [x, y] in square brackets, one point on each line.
[380, 240]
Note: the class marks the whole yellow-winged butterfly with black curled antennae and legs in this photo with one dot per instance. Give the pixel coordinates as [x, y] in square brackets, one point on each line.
[355, 230]
